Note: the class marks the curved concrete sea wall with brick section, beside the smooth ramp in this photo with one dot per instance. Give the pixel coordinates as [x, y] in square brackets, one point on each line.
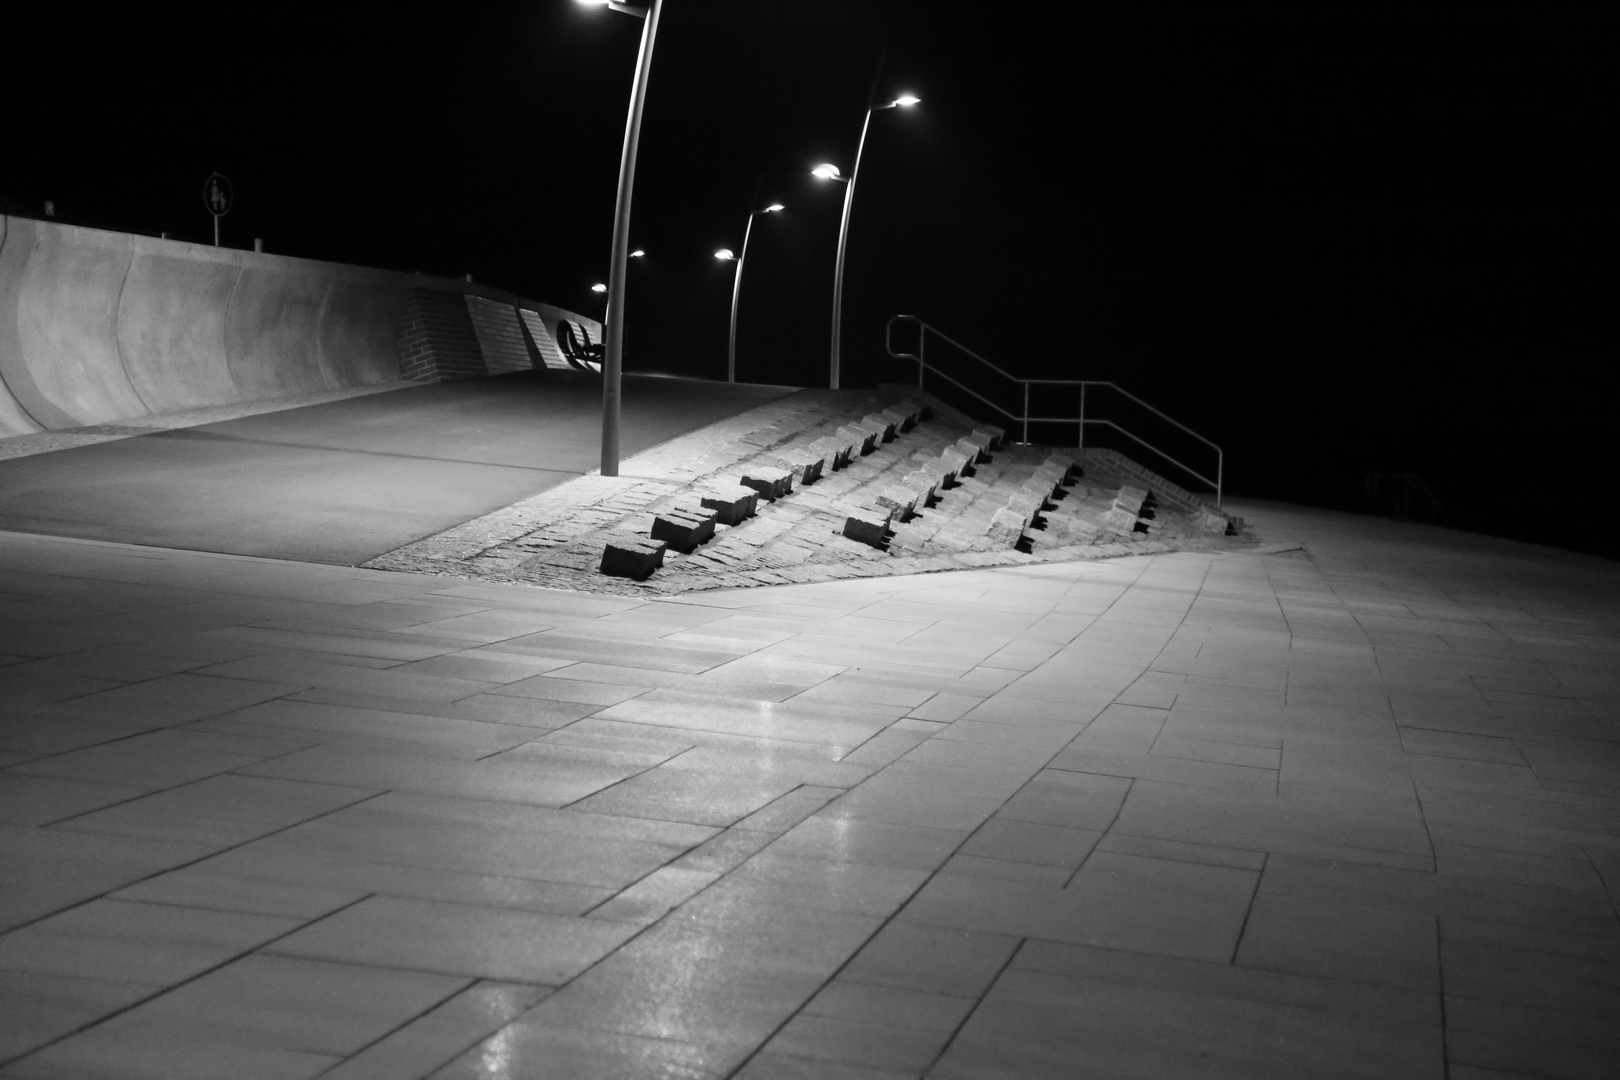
[101, 326]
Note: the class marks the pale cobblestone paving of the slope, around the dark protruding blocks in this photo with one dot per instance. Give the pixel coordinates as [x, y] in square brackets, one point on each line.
[556, 538]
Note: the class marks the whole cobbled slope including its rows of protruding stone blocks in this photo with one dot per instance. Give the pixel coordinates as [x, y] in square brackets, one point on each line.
[821, 487]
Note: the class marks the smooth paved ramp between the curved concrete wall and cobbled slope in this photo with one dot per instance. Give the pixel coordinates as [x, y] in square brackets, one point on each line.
[351, 480]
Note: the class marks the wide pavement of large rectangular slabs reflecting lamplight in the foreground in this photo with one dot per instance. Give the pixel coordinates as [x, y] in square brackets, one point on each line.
[1344, 812]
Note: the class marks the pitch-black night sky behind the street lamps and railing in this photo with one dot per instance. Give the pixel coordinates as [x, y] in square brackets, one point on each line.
[1336, 239]
